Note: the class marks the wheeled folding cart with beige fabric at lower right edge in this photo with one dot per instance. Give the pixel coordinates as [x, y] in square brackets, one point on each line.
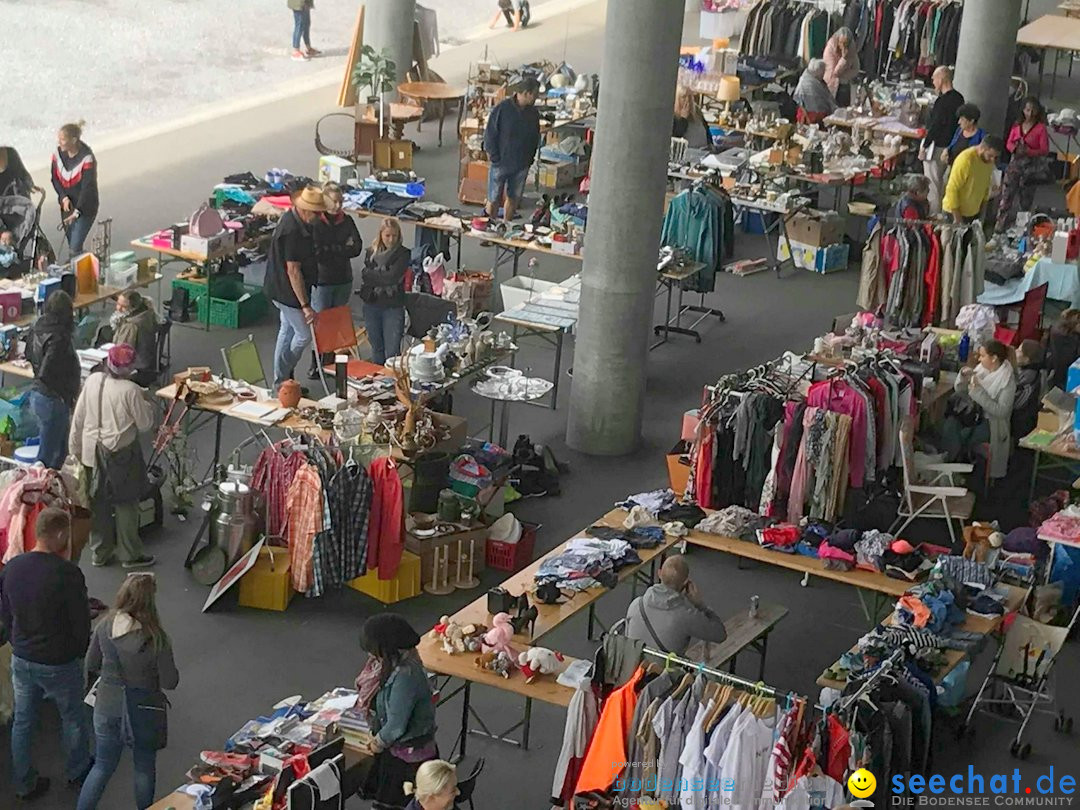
[1020, 685]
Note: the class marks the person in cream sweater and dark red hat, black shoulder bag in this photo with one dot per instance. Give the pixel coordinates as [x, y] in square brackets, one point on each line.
[110, 415]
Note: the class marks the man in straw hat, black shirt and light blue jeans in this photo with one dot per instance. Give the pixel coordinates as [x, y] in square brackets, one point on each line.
[291, 275]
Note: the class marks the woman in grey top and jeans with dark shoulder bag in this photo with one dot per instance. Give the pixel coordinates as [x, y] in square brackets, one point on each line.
[132, 655]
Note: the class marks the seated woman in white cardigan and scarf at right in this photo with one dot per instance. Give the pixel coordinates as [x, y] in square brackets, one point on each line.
[992, 386]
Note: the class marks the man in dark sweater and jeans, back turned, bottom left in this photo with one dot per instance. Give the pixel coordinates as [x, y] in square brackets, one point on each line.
[45, 607]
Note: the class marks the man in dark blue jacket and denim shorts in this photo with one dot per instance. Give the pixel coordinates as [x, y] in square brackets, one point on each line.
[511, 140]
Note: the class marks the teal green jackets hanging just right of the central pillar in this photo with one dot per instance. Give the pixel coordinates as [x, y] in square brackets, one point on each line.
[701, 222]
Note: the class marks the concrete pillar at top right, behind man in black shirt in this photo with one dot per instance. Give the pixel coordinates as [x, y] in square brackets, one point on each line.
[984, 60]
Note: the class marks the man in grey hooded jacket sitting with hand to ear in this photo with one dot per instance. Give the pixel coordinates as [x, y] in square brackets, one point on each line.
[672, 614]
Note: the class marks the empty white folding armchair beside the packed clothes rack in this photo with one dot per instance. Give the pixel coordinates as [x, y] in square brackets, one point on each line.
[940, 498]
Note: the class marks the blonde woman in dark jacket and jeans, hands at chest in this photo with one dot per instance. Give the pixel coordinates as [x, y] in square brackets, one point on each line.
[383, 291]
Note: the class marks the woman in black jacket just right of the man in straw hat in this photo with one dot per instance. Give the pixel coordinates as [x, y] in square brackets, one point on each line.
[337, 242]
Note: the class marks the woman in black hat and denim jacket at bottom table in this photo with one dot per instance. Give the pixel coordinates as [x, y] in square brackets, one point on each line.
[401, 709]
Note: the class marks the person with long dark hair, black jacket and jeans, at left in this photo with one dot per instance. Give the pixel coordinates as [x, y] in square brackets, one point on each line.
[57, 373]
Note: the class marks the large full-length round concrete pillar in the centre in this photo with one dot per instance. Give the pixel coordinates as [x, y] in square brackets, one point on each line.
[626, 213]
